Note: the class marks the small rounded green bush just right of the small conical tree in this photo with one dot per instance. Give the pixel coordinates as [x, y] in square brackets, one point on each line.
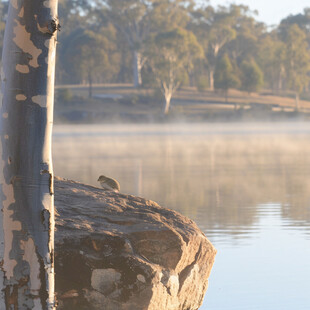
[252, 78]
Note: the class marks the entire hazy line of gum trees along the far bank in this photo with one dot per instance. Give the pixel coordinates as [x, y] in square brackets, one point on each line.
[169, 43]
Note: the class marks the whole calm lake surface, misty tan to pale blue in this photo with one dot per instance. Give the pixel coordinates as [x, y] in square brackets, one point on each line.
[246, 186]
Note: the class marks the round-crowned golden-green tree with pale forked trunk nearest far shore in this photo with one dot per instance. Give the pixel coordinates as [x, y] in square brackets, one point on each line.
[169, 54]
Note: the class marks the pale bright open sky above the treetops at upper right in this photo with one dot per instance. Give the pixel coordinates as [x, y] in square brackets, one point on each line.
[270, 11]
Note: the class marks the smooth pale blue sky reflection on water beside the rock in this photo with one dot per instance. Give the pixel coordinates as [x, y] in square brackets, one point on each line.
[269, 273]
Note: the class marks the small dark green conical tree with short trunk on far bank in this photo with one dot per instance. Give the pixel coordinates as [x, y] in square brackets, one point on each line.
[225, 77]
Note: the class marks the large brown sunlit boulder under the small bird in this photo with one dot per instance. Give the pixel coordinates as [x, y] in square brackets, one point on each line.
[115, 252]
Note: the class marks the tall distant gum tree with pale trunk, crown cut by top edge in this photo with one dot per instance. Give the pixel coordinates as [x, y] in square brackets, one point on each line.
[137, 19]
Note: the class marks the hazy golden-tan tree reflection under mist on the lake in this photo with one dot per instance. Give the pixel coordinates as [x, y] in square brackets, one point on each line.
[216, 175]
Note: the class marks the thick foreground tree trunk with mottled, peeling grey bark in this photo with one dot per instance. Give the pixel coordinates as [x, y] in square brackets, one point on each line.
[26, 186]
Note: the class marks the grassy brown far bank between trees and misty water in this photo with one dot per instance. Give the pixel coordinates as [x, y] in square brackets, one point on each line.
[122, 103]
